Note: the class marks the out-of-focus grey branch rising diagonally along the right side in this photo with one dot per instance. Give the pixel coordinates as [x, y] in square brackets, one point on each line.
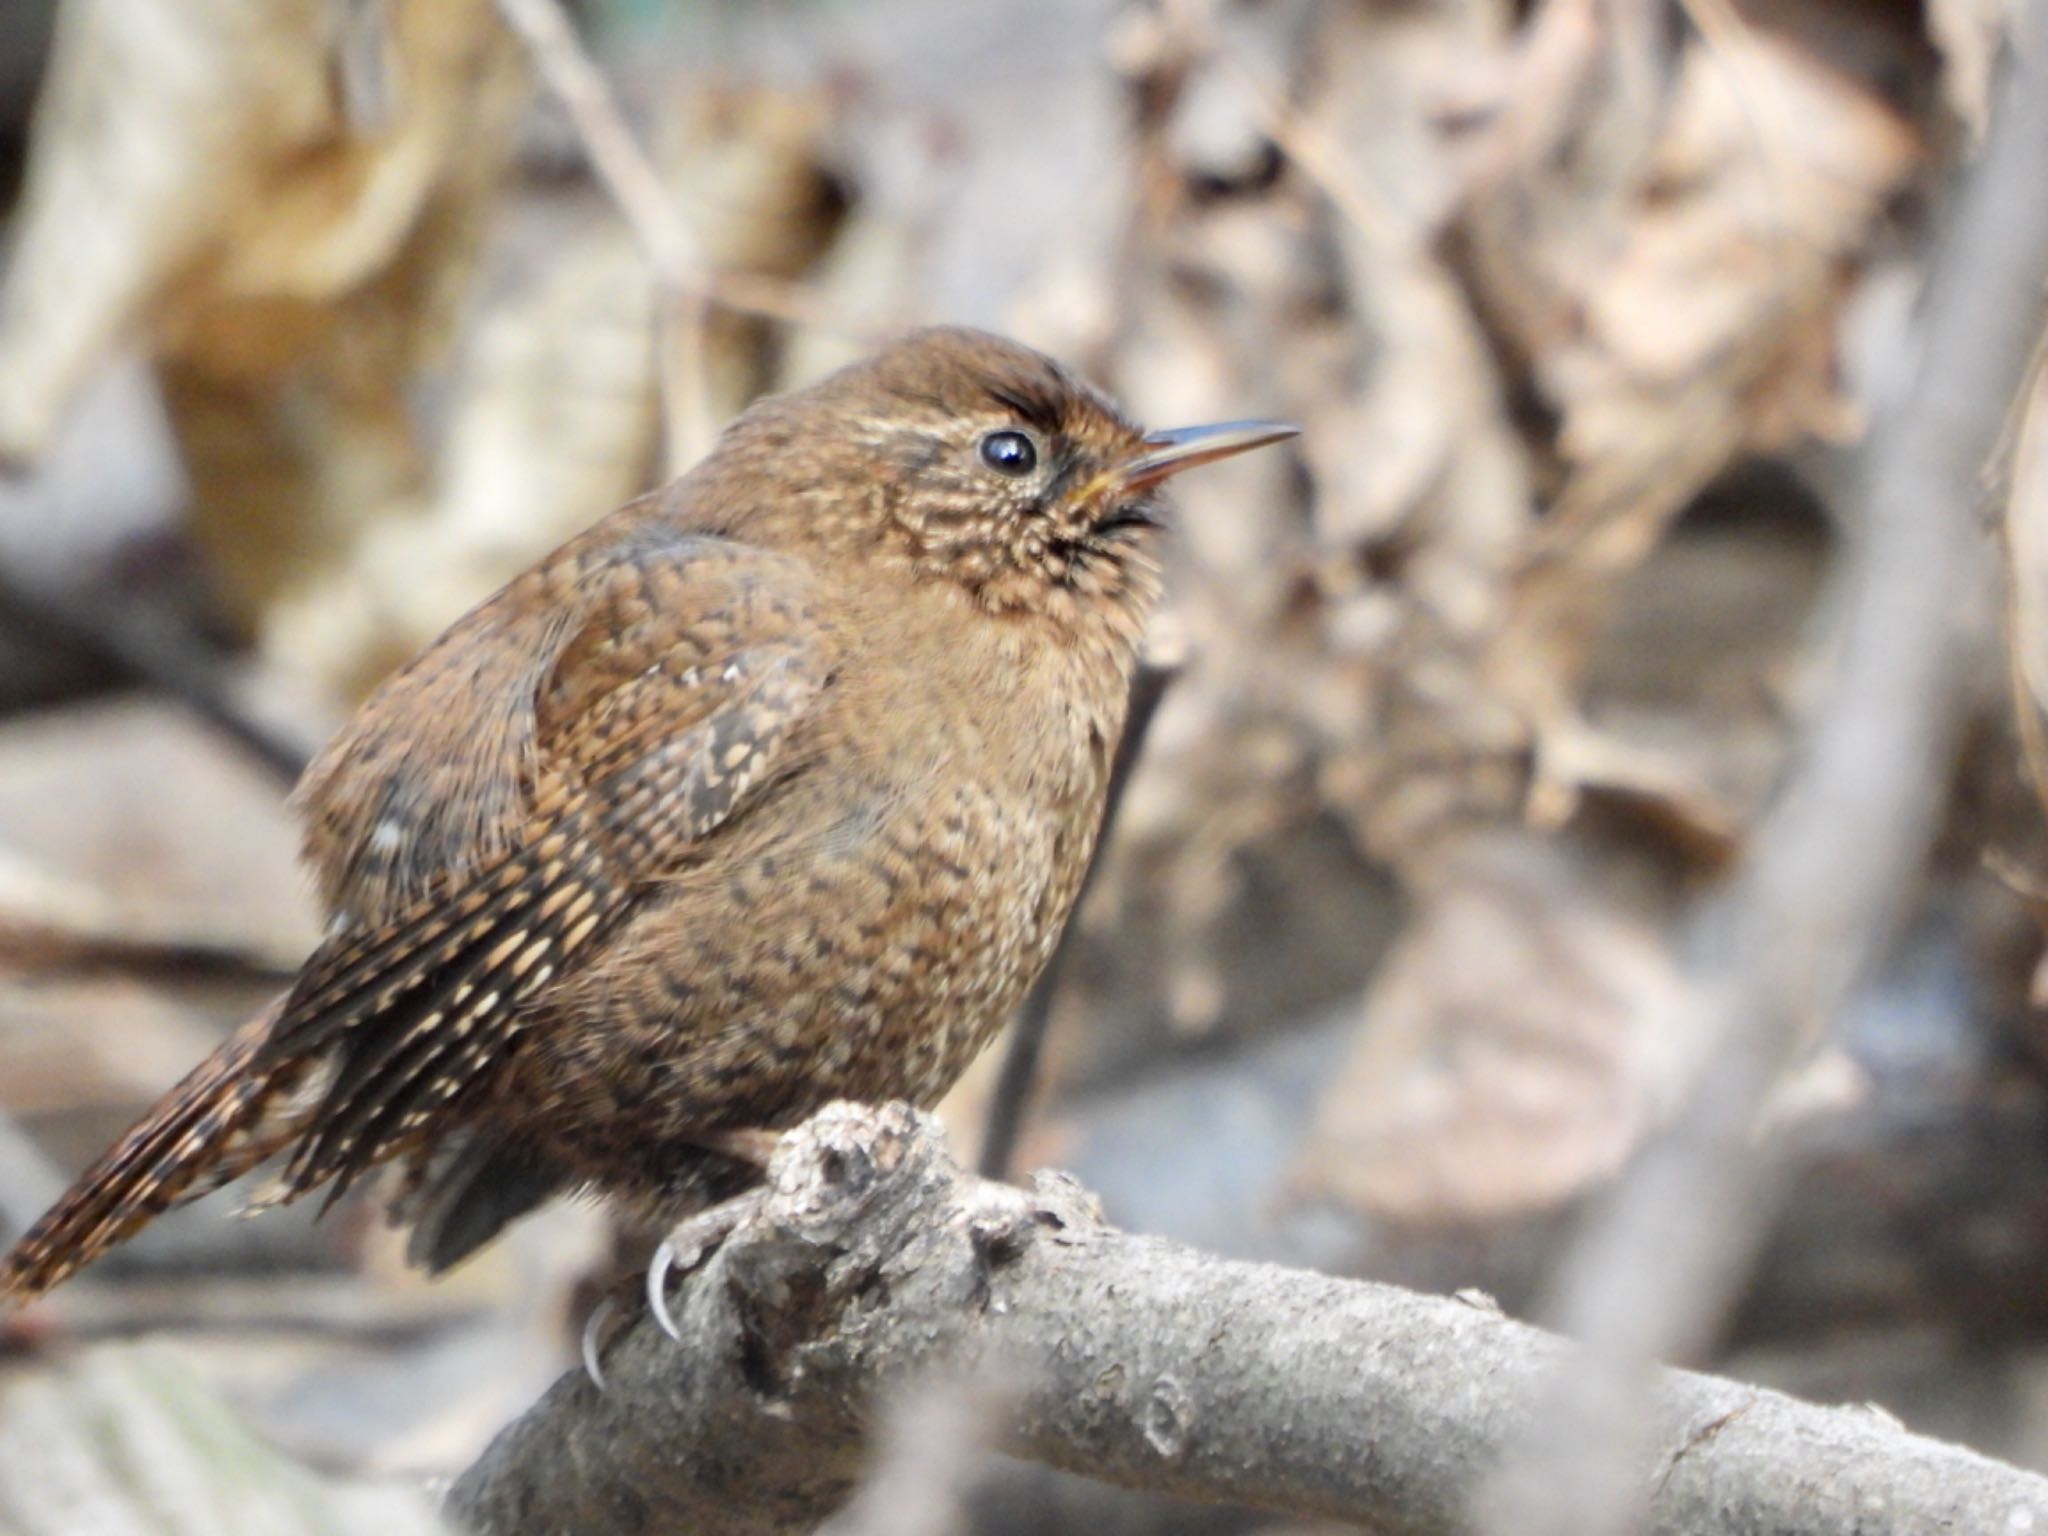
[1834, 863]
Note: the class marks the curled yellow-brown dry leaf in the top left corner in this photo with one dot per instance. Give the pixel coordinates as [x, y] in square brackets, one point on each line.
[275, 200]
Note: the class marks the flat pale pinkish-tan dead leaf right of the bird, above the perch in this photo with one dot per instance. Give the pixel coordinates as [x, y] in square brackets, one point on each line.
[1514, 1050]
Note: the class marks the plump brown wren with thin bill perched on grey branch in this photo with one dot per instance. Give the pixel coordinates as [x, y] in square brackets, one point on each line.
[775, 787]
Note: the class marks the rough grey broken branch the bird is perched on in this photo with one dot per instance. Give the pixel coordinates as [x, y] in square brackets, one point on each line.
[876, 1261]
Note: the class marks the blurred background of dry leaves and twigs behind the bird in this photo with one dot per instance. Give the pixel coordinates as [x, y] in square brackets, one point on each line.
[321, 321]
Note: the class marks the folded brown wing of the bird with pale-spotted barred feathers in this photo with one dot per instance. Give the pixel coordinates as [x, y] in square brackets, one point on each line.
[652, 710]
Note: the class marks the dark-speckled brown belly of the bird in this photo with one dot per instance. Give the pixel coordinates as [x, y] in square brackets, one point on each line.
[871, 959]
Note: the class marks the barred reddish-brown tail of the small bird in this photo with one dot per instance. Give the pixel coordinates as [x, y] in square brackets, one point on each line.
[210, 1129]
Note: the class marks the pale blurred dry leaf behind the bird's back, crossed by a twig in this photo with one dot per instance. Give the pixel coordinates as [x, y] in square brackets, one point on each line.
[556, 415]
